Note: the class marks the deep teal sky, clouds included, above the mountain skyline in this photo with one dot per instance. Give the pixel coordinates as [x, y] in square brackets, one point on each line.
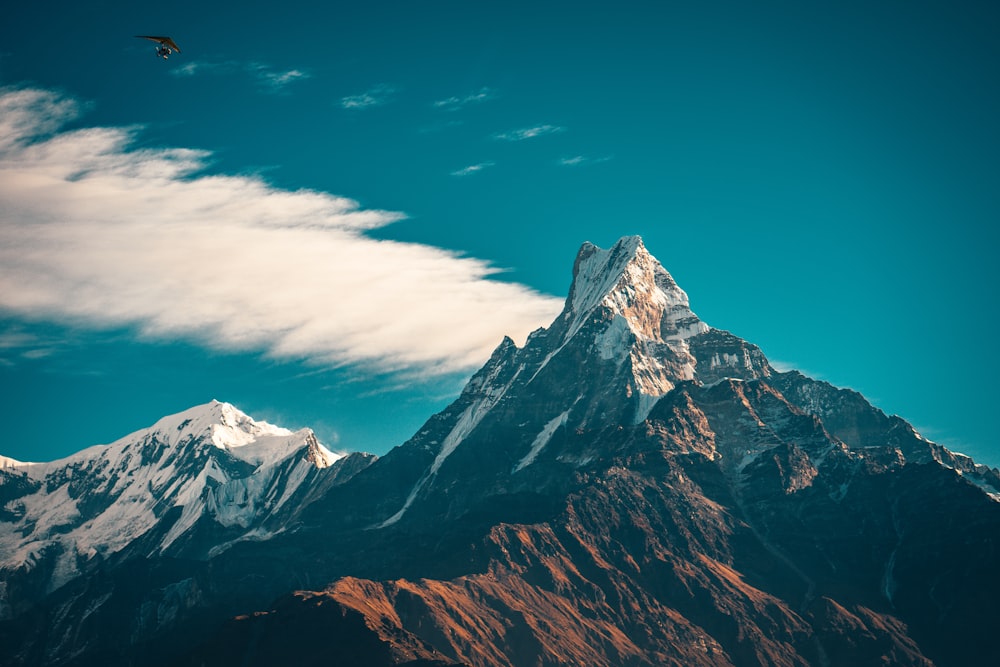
[329, 215]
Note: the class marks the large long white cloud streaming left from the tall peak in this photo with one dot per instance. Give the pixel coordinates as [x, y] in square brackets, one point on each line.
[96, 232]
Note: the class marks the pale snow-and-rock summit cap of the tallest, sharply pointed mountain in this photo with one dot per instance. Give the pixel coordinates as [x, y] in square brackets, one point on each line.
[630, 282]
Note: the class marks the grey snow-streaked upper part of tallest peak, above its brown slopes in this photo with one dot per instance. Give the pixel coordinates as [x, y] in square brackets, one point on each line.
[625, 340]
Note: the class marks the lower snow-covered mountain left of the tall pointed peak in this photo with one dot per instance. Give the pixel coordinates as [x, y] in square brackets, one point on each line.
[208, 468]
